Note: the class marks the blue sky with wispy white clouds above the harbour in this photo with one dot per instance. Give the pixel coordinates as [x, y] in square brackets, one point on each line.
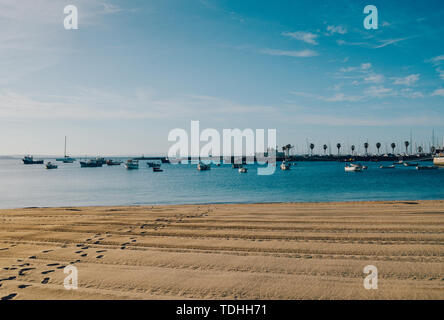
[136, 69]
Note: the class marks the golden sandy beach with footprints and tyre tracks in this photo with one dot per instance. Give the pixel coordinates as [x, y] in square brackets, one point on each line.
[251, 251]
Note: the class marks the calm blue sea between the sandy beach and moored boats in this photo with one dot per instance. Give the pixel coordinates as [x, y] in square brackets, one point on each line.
[70, 185]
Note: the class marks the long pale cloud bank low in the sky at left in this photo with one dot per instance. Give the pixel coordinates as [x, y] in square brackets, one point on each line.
[142, 104]
